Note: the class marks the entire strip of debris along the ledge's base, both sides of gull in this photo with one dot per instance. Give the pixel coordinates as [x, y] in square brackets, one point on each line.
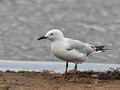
[110, 74]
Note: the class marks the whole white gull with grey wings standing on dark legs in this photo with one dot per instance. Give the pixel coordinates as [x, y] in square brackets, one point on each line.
[70, 50]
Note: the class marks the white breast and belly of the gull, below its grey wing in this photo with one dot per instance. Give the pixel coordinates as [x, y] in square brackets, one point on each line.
[61, 52]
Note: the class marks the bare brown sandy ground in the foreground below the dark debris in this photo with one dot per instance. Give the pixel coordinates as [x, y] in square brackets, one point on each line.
[52, 81]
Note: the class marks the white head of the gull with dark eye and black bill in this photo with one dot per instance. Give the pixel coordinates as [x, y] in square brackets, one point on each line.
[53, 35]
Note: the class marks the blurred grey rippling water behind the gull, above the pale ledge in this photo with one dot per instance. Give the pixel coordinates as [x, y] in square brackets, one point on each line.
[94, 21]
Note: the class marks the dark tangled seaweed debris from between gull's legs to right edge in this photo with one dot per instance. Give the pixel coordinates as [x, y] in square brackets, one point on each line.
[110, 74]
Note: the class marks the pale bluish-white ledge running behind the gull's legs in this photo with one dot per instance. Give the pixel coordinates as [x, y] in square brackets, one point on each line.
[15, 65]
